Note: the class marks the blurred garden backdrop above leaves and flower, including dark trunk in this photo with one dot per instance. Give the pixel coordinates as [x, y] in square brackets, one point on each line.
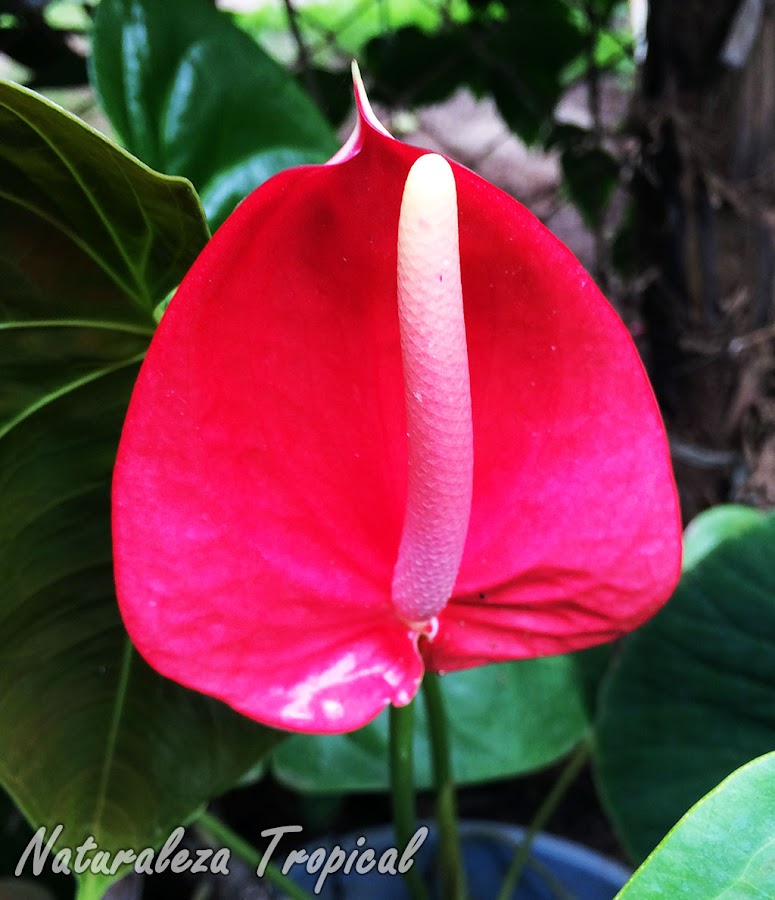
[641, 133]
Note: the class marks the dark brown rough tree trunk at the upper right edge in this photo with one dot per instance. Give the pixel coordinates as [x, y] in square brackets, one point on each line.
[704, 195]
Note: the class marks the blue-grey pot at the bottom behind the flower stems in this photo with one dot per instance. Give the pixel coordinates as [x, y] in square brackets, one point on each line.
[557, 867]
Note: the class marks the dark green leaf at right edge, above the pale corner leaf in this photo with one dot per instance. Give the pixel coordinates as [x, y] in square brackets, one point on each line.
[690, 698]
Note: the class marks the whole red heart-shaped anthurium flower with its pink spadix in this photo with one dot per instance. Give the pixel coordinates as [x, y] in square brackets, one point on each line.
[387, 424]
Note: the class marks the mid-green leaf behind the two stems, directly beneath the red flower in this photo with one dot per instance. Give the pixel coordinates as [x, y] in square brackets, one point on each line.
[504, 720]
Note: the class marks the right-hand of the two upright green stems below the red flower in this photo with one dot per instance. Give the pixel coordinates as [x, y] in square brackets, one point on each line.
[450, 856]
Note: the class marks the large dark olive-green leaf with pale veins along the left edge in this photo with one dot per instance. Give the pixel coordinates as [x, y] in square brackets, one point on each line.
[90, 242]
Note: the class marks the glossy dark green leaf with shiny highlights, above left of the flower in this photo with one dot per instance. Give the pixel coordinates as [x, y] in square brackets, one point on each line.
[191, 94]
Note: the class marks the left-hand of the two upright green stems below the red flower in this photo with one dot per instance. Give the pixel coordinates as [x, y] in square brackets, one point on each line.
[402, 787]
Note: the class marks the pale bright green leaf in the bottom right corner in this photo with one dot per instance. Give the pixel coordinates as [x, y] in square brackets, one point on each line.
[723, 847]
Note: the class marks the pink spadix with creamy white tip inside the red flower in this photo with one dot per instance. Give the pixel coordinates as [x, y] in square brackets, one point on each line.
[437, 395]
